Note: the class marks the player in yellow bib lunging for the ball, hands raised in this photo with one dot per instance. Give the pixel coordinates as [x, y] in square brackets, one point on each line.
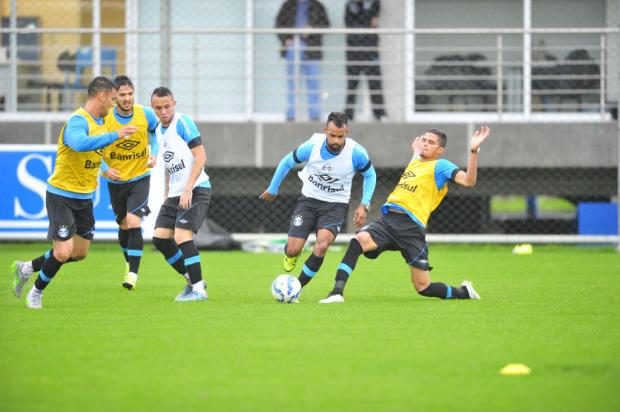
[402, 224]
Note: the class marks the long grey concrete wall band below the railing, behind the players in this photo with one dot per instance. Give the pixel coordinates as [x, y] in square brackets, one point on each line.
[510, 145]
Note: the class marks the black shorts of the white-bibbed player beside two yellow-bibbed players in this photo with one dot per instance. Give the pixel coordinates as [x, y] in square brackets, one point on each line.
[172, 216]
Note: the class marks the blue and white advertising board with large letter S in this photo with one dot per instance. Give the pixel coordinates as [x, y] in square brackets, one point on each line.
[23, 184]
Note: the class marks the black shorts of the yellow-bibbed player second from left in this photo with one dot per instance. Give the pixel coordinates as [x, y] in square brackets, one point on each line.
[131, 197]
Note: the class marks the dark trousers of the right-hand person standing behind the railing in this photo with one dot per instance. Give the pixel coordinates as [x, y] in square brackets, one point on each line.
[373, 71]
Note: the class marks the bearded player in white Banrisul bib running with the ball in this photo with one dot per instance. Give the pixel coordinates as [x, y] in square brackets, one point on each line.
[332, 159]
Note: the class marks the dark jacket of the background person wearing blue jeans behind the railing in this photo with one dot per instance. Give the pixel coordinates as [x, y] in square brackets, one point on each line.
[317, 17]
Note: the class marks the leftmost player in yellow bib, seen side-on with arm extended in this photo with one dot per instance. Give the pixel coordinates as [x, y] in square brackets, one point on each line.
[70, 190]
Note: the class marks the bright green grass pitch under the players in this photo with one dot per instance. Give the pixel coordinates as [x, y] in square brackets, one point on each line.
[97, 347]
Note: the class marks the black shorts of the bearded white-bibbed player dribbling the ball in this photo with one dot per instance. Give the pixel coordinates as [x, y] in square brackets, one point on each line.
[310, 215]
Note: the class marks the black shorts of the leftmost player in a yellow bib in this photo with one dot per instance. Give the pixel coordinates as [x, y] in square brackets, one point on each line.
[69, 217]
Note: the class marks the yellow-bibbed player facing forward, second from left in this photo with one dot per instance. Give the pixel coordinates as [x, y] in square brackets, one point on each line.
[127, 166]
